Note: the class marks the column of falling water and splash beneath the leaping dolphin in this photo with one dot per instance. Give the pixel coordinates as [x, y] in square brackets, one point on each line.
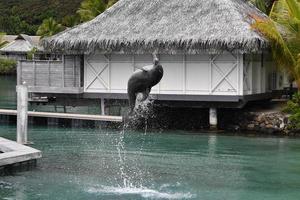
[132, 174]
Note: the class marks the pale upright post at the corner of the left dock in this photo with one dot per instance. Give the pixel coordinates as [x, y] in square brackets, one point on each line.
[22, 117]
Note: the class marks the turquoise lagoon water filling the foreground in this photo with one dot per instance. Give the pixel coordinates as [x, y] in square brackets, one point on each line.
[108, 164]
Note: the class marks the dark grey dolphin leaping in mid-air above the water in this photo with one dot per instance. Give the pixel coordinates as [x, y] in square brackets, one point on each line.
[142, 80]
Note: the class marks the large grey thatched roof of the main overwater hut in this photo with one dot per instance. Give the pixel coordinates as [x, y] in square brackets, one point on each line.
[168, 26]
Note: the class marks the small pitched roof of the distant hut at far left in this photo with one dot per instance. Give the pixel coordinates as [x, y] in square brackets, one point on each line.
[21, 44]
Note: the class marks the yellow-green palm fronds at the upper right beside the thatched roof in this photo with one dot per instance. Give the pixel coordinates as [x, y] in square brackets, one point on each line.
[282, 28]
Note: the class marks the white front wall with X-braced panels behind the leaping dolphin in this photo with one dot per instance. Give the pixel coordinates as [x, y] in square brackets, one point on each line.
[190, 74]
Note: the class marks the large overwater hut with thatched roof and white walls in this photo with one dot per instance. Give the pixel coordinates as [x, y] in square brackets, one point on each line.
[210, 55]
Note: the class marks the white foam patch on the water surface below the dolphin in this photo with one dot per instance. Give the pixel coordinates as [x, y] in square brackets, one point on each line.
[143, 192]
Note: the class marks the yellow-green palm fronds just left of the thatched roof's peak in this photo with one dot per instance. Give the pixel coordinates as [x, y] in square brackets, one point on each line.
[89, 9]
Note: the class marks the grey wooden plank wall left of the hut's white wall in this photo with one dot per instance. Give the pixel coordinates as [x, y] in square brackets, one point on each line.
[49, 76]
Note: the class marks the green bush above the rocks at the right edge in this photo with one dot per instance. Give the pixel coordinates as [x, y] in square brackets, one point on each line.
[293, 108]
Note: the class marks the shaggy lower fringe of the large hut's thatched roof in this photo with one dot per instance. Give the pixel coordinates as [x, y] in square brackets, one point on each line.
[250, 45]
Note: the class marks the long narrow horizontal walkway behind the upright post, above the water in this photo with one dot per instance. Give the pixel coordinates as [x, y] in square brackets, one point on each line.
[66, 116]
